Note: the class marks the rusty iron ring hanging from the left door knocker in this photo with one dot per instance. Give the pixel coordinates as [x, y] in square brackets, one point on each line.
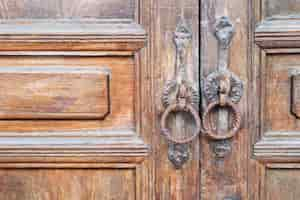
[173, 108]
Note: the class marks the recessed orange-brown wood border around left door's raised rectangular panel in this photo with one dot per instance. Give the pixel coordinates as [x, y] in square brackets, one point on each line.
[122, 91]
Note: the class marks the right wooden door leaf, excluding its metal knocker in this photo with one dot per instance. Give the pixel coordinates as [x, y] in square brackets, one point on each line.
[261, 162]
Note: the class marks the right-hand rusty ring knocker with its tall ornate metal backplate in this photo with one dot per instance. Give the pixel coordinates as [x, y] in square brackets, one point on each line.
[222, 88]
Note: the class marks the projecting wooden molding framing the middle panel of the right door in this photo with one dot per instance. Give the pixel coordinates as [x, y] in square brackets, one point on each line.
[276, 35]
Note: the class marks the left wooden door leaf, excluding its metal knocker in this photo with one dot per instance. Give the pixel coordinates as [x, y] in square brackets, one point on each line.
[81, 85]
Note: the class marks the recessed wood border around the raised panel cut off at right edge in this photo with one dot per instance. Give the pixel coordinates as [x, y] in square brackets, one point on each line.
[277, 99]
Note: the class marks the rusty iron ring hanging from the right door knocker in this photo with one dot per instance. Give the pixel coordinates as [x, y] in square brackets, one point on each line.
[211, 133]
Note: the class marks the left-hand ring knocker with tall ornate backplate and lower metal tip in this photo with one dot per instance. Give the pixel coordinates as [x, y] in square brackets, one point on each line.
[180, 97]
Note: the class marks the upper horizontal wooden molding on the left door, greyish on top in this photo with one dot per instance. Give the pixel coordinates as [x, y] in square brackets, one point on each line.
[61, 35]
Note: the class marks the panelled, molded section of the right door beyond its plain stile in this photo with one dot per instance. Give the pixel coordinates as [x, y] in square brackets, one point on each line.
[276, 143]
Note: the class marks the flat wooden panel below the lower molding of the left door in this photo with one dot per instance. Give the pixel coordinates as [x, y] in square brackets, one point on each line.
[75, 184]
